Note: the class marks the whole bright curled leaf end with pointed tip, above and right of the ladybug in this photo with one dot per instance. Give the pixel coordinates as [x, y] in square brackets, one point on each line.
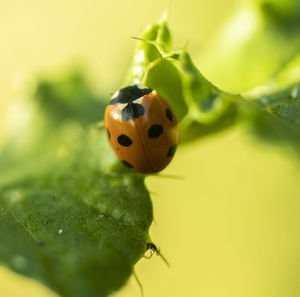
[173, 74]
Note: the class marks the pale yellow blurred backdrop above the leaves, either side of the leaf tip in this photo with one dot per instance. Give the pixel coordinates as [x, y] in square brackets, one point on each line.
[41, 37]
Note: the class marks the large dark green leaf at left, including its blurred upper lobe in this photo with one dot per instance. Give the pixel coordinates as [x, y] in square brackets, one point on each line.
[71, 215]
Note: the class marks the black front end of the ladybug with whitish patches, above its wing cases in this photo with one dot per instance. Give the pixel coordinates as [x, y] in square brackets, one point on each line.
[129, 94]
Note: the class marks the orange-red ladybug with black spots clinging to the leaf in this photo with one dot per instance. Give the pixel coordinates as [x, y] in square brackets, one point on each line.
[141, 128]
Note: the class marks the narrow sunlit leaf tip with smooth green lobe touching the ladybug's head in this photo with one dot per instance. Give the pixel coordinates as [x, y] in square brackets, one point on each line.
[150, 68]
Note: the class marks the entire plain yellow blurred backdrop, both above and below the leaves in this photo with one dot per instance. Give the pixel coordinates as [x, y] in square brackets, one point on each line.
[230, 225]
